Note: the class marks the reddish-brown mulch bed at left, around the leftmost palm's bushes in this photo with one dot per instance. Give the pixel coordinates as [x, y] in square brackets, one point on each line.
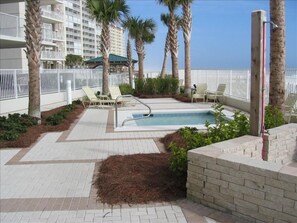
[33, 133]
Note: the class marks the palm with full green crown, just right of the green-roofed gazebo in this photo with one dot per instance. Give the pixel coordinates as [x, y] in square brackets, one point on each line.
[142, 31]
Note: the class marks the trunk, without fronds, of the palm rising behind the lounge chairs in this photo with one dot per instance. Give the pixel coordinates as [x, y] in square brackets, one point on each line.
[105, 48]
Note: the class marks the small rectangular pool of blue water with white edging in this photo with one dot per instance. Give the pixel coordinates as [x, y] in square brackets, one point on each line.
[167, 119]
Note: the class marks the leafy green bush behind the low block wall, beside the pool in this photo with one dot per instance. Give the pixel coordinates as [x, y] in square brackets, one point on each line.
[221, 131]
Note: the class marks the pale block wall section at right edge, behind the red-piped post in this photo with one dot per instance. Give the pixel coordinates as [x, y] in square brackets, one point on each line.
[280, 145]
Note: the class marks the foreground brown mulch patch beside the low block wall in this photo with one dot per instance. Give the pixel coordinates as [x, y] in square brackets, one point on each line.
[138, 178]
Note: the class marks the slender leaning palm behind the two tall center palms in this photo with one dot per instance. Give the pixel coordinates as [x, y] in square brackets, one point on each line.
[165, 19]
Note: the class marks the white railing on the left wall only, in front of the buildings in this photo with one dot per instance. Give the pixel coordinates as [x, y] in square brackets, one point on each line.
[14, 83]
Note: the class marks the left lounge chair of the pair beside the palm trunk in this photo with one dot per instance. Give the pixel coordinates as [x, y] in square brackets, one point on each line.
[94, 100]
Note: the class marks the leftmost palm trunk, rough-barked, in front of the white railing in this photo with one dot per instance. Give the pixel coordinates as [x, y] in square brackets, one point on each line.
[33, 37]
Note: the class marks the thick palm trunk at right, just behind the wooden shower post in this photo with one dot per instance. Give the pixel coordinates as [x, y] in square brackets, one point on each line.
[277, 54]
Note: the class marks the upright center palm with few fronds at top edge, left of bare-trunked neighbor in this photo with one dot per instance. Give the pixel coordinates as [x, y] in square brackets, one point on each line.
[172, 6]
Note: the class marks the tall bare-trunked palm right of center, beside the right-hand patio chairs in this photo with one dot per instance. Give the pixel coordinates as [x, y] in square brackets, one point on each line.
[187, 30]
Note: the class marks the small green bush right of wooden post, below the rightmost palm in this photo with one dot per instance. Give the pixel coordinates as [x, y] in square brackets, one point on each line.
[273, 117]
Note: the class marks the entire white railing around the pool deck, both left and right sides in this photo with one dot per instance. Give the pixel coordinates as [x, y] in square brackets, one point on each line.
[14, 83]
